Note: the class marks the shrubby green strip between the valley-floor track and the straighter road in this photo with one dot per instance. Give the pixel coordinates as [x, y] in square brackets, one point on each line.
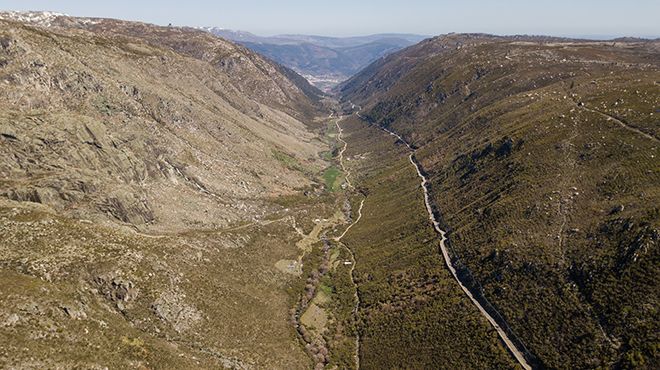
[412, 314]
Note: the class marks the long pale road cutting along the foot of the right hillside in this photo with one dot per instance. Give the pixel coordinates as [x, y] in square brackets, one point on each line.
[445, 254]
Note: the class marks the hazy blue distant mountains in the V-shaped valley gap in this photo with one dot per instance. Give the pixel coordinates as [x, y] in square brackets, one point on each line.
[324, 61]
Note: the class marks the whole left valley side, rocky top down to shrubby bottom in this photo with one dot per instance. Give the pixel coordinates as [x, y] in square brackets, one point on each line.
[146, 195]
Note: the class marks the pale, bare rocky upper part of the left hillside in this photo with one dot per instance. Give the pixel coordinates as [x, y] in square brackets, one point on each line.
[121, 126]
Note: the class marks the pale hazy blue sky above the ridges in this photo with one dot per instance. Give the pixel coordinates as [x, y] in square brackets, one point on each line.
[356, 17]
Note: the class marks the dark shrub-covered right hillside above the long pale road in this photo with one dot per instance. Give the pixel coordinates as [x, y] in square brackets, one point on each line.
[543, 157]
